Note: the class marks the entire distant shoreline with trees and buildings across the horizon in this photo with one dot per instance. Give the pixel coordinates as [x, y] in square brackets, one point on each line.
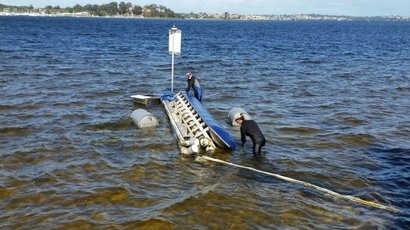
[159, 11]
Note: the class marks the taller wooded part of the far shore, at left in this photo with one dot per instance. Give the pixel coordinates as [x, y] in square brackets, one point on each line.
[110, 9]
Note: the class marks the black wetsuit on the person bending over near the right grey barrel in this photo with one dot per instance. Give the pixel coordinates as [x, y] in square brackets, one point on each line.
[251, 129]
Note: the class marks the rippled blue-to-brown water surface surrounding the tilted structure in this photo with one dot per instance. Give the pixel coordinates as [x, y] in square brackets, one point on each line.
[331, 97]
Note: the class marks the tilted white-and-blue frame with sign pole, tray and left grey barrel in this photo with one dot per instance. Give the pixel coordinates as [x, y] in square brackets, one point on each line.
[195, 128]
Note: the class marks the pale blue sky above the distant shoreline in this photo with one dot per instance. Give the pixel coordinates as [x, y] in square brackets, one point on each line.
[325, 7]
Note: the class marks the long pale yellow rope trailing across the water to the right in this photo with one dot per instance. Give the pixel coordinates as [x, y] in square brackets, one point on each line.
[352, 198]
